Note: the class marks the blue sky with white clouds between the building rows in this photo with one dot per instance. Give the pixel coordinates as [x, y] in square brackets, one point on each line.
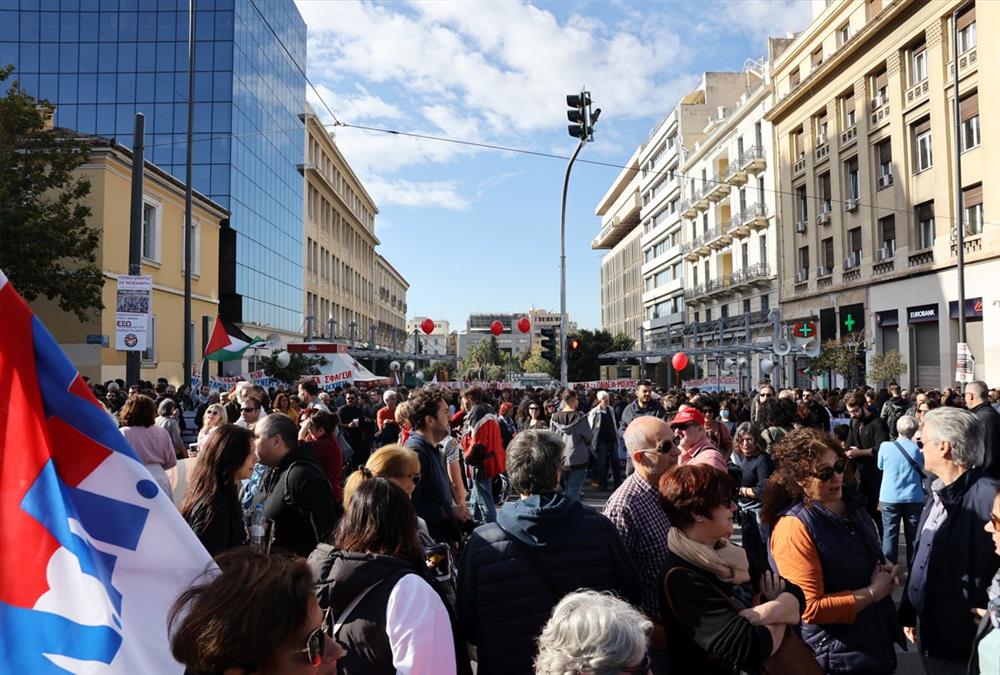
[477, 230]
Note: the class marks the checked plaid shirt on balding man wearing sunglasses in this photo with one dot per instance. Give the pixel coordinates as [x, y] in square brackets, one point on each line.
[635, 510]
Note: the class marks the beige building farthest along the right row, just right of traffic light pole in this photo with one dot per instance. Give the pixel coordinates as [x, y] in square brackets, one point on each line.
[621, 267]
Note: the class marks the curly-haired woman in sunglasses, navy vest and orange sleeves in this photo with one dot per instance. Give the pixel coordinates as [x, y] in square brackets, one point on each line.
[824, 541]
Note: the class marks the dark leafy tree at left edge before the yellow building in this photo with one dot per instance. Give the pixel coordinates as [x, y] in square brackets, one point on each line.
[47, 247]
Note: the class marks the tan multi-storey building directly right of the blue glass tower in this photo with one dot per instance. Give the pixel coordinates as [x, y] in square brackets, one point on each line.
[340, 241]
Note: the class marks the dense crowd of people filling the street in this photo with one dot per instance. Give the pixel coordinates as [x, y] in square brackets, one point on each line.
[425, 531]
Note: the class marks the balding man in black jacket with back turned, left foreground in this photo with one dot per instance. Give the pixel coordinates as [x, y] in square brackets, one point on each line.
[296, 494]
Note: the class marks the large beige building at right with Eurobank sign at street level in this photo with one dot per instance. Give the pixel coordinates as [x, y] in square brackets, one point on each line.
[865, 139]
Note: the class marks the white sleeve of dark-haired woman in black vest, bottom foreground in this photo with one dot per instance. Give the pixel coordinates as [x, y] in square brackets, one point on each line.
[418, 628]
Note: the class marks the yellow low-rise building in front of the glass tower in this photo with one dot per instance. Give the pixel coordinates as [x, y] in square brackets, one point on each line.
[90, 344]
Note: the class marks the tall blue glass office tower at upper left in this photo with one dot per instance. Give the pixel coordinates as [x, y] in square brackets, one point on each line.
[101, 61]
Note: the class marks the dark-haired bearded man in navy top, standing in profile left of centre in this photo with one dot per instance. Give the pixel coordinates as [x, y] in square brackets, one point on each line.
[432, 497]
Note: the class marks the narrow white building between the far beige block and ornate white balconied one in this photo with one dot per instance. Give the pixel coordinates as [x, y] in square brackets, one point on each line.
[662, 203]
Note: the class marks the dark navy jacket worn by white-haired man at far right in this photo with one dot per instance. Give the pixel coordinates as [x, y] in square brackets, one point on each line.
[962, 564]
